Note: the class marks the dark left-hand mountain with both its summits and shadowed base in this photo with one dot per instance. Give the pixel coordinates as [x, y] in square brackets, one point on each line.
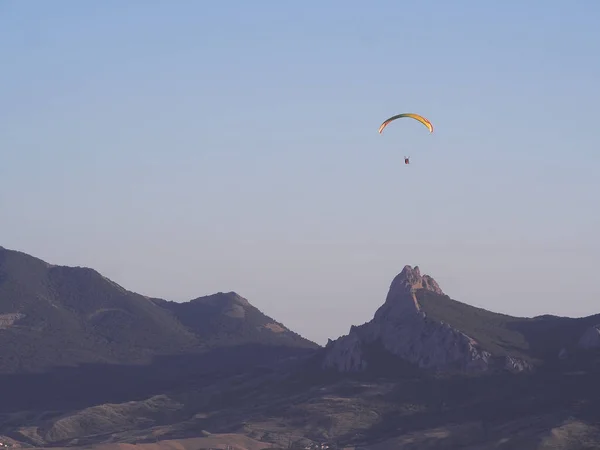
[76, 329]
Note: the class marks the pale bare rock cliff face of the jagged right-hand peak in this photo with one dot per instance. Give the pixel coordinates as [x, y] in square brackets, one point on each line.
[403, 329]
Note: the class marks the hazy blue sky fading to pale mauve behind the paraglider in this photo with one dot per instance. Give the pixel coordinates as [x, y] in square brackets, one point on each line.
[187, 147]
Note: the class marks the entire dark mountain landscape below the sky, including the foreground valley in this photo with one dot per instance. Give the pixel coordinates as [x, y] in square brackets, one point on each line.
[84, 361]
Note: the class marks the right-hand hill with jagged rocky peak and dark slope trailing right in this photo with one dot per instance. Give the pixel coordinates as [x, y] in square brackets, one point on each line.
[420, 327]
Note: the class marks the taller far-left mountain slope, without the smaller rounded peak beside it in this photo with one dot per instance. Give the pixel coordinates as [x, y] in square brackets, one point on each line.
[63, 316]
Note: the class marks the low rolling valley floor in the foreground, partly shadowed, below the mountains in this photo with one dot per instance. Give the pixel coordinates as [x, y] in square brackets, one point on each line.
[274, 411]
